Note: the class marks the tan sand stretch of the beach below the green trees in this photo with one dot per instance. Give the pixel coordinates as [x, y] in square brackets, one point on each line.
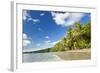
[83, 54]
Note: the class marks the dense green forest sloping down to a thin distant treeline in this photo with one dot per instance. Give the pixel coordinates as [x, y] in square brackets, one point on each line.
[78, 36]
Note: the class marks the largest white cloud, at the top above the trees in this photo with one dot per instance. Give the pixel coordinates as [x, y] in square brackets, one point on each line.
[66, 19]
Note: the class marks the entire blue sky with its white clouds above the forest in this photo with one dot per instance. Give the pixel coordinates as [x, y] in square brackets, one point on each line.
[43, 29]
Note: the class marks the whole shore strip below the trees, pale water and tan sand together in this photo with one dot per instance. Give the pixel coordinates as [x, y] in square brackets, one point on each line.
[83, 54]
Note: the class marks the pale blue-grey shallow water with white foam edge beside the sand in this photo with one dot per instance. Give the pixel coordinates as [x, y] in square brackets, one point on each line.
[40, 57]
